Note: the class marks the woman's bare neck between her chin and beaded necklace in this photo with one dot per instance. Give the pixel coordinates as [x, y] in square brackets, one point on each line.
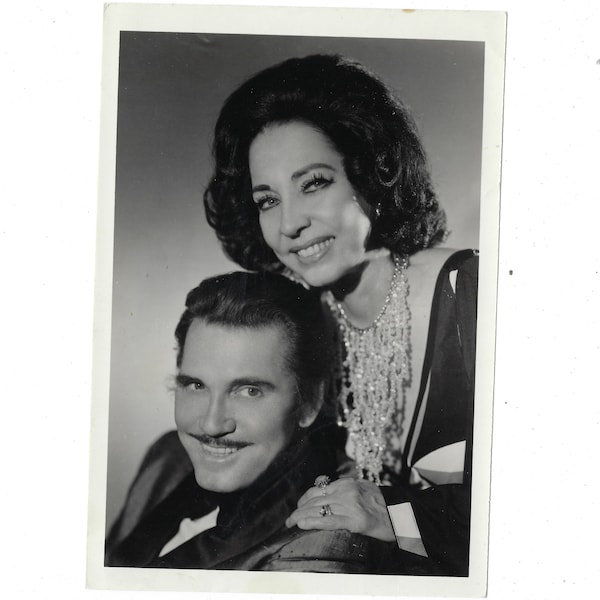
[363, 292]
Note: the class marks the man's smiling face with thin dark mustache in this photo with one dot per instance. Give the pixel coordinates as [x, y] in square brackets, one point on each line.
[235, 403]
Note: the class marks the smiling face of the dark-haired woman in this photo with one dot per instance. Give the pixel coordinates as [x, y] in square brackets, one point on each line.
[309, 213]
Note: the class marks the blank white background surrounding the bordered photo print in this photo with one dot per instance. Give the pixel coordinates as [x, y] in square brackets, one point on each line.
[544, 487]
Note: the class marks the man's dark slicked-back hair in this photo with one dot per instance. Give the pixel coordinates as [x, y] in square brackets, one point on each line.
[258, 300]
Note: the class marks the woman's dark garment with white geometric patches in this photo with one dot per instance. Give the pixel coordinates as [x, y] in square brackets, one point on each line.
[430, 503]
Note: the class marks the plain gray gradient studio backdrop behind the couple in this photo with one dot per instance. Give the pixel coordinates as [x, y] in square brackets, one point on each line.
[171, 87]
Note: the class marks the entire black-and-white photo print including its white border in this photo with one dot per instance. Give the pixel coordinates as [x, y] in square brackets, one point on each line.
[209, 426]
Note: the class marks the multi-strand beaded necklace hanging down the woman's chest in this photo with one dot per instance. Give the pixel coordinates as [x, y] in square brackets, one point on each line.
[375, 371]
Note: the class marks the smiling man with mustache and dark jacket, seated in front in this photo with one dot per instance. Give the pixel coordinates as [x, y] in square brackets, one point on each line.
[252, 360]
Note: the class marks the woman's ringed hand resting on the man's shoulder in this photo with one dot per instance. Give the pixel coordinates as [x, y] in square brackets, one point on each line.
[355, 505]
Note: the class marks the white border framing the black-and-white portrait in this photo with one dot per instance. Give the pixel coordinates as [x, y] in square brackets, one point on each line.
[487, 27]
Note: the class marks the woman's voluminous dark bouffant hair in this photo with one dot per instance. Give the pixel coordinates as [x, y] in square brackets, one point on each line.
[382, 154]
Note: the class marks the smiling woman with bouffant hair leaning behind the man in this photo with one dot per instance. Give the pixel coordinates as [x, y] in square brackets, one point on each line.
[320, 174]
